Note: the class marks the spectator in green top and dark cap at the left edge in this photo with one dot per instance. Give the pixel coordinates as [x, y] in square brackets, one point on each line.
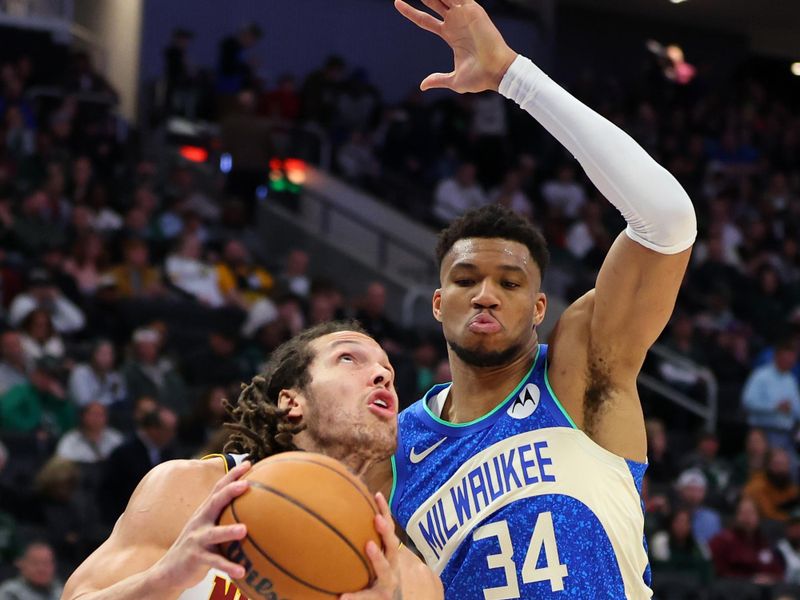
[39, 405]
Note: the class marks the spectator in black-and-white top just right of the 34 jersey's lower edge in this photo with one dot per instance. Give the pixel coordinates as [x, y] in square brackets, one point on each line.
[677, 552]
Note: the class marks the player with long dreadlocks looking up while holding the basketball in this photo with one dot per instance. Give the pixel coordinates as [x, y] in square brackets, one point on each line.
[329, 390]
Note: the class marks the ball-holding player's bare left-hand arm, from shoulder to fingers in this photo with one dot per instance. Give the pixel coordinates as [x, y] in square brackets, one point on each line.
[159, 547]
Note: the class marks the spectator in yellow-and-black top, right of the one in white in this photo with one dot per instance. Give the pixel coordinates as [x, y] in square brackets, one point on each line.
[242, 281]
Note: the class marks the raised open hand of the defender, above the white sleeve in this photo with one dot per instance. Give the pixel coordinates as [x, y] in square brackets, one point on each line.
[480, 53]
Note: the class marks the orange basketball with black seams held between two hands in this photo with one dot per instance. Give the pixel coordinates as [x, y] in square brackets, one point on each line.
[308, 523]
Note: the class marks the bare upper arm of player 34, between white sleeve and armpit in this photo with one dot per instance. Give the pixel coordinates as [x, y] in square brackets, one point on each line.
[634, 298]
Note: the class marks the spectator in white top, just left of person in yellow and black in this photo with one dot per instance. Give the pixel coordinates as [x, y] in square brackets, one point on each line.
[187, 271]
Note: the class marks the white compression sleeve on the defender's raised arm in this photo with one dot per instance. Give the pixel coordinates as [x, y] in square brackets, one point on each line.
[658, 211]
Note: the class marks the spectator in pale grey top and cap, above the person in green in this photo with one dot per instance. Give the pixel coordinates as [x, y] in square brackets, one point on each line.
[42, 293]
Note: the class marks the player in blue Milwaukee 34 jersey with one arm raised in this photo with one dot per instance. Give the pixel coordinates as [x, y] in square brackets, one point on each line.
[522, 478]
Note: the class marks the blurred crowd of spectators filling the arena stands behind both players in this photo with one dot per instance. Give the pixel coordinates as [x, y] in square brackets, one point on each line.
[135, 295]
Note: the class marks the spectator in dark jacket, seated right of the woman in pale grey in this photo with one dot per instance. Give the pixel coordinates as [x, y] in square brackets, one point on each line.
[147, 373]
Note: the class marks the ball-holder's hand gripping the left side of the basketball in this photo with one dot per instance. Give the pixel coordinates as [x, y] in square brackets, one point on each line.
[194, 552]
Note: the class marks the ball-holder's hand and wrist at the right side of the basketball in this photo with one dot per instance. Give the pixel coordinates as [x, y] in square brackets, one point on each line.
[400, 574]
